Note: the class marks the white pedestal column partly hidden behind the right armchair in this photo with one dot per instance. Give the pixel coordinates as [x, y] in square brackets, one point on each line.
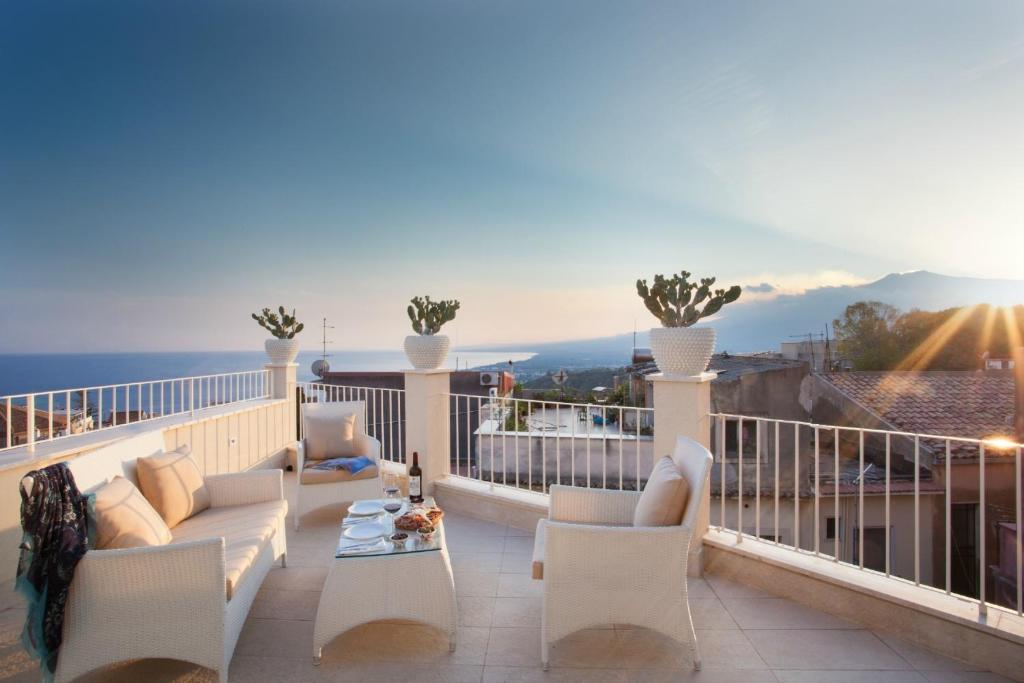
[682, 408]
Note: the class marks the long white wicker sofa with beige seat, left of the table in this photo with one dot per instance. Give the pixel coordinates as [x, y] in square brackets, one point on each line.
[187, 601]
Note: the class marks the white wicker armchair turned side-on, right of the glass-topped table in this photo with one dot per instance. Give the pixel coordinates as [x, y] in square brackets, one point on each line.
[599, 569]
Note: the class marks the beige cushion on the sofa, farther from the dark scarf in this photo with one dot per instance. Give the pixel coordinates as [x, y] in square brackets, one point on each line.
[174, 485]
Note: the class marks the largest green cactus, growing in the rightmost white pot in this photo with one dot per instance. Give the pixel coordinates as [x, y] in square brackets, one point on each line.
[674, 301]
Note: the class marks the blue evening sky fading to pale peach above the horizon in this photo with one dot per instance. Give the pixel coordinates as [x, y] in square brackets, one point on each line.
[168, 168]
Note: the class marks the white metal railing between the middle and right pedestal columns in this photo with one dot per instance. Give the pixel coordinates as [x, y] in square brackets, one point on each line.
[533, 444]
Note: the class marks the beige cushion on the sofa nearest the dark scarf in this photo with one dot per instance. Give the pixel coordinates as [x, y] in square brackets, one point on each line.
[125, 520]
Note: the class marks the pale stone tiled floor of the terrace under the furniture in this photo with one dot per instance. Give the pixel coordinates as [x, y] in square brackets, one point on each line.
[745, 635]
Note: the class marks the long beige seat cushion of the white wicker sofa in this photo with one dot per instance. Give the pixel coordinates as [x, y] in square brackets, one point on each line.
[246, 530]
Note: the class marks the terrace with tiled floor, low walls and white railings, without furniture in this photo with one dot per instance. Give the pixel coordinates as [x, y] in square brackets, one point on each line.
[783, 610]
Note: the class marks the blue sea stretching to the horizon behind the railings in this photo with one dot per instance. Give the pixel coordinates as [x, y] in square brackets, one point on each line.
[34, 373]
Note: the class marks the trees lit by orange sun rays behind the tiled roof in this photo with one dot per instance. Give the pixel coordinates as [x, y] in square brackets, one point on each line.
[877, 336]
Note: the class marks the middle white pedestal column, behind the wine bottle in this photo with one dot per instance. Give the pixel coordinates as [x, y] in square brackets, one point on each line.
[428, 422]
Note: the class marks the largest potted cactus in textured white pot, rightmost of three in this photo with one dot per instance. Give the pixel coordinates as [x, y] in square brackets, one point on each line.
[679, 350]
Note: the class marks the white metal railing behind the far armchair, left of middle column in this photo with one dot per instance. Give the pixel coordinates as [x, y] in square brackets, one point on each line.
[385, 412]
